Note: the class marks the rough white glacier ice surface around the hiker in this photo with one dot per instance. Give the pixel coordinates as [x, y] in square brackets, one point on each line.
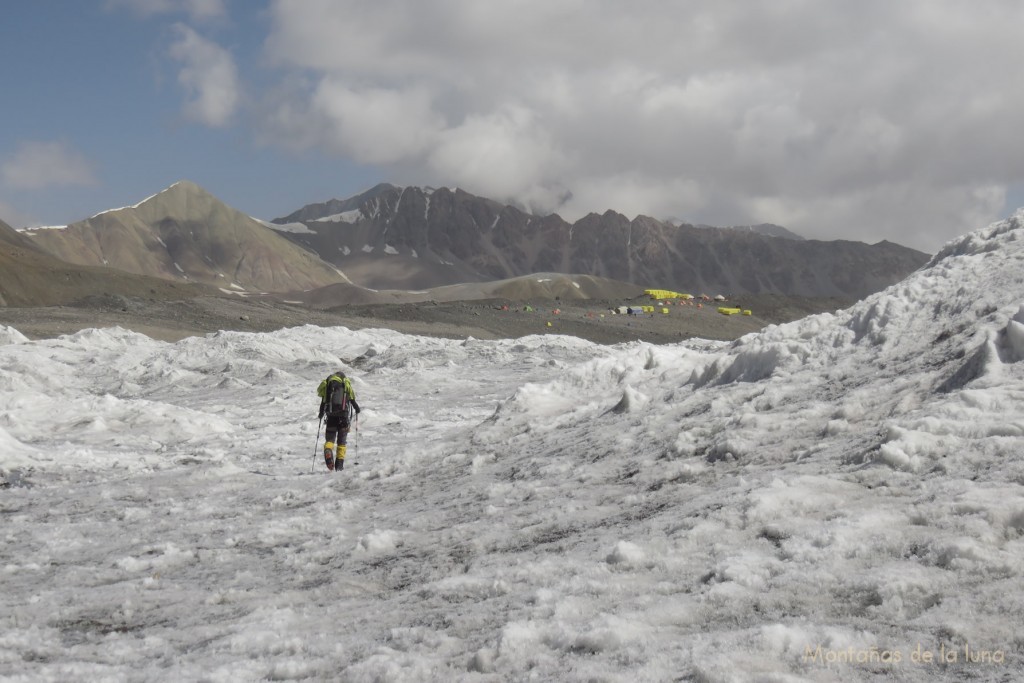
[836, 499]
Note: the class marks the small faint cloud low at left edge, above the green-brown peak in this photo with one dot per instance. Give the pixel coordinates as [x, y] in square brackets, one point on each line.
[37, 165]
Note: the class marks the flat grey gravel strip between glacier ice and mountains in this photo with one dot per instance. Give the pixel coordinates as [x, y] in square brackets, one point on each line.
[492, 319]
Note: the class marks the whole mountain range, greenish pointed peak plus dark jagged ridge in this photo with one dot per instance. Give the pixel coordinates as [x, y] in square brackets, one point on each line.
[407, 239]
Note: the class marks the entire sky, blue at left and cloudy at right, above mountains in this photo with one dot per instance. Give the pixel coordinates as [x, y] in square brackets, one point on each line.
[864, 121]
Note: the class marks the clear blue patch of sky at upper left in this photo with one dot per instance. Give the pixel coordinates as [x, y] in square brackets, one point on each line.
[96, 84]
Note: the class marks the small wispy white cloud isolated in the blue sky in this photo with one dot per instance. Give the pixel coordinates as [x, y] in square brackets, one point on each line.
[208, 76]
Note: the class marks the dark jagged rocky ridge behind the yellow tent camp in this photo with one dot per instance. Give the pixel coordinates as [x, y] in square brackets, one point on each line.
[415, 238]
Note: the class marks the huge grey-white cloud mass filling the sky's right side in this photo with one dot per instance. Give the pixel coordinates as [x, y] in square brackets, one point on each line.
[837, 120]
